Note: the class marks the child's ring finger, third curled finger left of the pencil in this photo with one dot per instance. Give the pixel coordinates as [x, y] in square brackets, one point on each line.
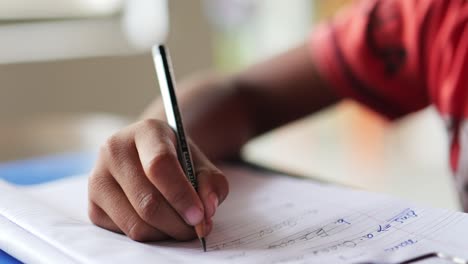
[107, 194]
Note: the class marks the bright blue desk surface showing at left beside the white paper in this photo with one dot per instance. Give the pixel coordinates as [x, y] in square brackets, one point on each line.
[44, 169]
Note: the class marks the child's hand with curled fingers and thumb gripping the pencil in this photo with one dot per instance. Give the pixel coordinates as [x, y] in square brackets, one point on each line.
[139, 188]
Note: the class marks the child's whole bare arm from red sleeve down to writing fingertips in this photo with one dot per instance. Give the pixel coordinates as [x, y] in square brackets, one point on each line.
[138, 187]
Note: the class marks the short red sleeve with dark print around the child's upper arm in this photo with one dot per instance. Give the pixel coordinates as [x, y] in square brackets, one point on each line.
[373, 53]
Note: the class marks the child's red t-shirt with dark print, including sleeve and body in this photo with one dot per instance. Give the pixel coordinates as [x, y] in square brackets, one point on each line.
[399, 56]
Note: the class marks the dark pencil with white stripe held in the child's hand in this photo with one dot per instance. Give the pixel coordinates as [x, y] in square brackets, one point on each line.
[163, 67]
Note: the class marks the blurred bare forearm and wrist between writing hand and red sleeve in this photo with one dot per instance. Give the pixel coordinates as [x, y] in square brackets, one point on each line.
[223, 113]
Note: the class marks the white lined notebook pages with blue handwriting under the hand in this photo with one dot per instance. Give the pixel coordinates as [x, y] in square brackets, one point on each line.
[266, 219]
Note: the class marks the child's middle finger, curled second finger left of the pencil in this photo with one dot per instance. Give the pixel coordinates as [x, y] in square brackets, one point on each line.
[145, 198]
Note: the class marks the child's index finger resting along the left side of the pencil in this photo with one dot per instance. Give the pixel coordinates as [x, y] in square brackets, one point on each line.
[156, 145]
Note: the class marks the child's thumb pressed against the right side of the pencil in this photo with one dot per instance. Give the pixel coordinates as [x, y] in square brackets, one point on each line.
[213, 186]
